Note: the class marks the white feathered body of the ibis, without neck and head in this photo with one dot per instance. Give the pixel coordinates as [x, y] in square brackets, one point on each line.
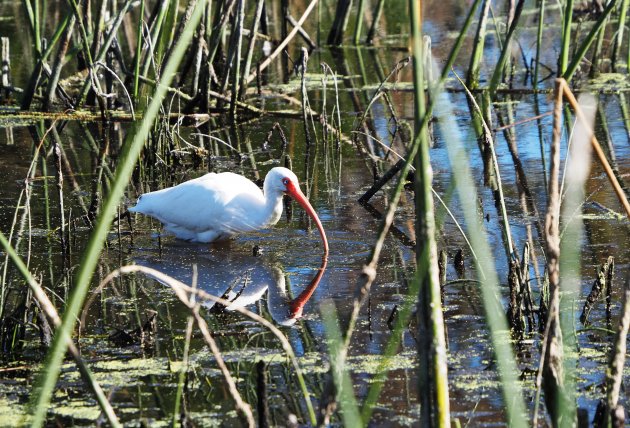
[211, 202]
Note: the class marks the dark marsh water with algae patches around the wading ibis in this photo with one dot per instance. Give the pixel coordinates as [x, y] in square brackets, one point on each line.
[133, 331]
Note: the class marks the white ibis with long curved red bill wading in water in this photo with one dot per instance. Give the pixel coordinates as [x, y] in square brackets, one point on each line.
[215, 207]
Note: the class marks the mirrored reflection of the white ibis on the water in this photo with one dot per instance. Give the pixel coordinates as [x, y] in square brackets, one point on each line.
[239, 278]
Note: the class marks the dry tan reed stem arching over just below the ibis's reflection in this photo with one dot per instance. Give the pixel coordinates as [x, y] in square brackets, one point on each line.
[182, 290]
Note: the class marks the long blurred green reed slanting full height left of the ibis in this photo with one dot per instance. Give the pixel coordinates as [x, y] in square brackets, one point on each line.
[47, 377]
